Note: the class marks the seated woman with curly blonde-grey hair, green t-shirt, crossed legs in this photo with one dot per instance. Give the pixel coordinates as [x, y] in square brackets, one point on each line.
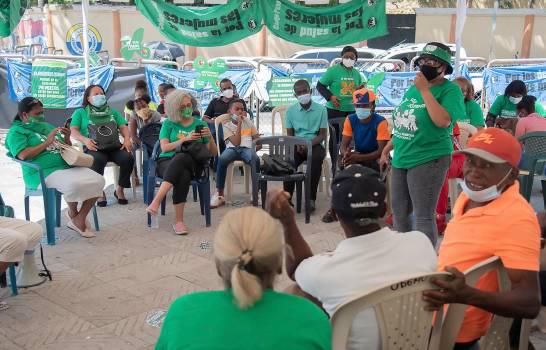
[178, 169]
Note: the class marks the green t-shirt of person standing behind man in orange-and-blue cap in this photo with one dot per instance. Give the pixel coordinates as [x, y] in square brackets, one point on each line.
[342, 83]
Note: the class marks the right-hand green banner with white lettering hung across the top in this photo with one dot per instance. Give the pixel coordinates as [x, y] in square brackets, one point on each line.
[348, 23]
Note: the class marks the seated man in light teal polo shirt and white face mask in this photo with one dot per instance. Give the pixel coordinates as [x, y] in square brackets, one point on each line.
[307, 119]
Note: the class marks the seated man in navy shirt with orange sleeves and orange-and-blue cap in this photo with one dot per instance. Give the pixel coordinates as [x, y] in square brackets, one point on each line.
[370, 133]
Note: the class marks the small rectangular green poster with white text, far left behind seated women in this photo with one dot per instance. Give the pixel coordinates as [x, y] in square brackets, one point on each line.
[49, 83]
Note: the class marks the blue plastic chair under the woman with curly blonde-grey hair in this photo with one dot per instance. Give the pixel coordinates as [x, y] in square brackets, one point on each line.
[201, 186]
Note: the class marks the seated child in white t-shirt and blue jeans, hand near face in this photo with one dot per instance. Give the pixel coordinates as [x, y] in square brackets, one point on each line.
[239, 133]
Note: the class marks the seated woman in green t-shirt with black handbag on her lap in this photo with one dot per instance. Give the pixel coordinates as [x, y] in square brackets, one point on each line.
[96, 111]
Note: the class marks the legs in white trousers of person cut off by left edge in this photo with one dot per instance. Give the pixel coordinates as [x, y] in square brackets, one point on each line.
[16, 237]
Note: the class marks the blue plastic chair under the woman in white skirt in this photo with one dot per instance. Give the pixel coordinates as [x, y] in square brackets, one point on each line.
[52, 203]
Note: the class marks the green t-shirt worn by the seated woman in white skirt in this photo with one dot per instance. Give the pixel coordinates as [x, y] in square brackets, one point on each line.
[24, 135]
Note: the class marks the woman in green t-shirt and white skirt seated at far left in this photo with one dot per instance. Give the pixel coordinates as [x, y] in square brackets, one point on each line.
[32, 139]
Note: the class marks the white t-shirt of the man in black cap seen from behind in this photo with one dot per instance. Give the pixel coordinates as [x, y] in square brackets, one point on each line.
[361, 264]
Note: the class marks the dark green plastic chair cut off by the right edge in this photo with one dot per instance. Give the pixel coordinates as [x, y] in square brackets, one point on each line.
[534, 148]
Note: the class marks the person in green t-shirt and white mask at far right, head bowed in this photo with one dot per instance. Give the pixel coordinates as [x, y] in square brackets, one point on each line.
[503, 111]
